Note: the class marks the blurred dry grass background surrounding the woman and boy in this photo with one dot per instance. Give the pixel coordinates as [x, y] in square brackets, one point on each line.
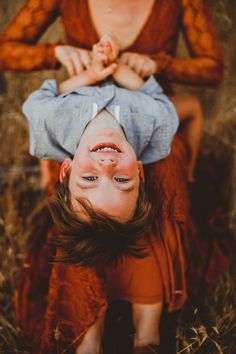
[21, 198]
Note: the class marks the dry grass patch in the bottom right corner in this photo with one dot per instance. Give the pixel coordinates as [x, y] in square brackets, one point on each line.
[211, 328]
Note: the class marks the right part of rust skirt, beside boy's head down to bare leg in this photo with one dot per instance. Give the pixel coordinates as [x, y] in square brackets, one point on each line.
[161, 275]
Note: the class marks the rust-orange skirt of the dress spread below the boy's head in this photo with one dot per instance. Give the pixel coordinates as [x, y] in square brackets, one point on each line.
[60, 306]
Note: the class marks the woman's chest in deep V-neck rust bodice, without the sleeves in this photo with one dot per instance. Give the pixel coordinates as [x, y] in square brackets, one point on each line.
[147, 29]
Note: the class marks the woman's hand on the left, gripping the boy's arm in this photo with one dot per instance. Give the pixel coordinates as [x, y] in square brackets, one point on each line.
[74, 59]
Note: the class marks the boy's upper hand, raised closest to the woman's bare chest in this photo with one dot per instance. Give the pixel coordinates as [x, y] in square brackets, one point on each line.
[110, 46]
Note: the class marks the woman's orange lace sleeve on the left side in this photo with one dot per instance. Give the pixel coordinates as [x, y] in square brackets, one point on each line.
[17, 49]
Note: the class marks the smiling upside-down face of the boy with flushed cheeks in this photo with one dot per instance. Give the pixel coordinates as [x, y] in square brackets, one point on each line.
[105, 171]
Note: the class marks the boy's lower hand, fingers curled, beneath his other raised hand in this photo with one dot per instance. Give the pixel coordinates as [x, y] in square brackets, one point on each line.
[98, 69]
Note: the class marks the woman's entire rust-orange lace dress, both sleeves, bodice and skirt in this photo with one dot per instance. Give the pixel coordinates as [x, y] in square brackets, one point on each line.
[60, 302]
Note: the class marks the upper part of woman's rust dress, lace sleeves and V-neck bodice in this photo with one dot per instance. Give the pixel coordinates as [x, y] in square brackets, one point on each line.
[158, 38]
